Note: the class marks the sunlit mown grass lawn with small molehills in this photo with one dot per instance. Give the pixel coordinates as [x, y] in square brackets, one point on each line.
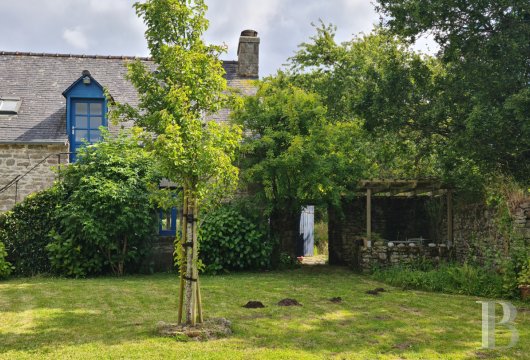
[116, 318]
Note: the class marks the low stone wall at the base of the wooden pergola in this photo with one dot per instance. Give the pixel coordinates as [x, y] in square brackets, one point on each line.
[383, 254]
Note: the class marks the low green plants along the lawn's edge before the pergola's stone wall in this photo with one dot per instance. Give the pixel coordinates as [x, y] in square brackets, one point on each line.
[449, 278]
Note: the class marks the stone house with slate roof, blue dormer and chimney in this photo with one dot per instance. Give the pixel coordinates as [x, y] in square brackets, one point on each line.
[51, 103]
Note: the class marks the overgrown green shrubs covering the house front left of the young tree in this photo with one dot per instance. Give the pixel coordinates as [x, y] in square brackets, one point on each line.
[97, 219]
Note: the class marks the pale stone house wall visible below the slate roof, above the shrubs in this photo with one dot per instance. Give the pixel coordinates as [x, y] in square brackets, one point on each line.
[17, 160]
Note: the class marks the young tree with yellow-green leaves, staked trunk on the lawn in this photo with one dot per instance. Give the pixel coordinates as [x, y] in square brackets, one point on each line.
[185, 85]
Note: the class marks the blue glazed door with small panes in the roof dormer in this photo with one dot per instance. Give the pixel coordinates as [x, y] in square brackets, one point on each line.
[87, 117]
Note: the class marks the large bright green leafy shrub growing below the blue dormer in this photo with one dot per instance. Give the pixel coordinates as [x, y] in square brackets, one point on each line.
[107, 220]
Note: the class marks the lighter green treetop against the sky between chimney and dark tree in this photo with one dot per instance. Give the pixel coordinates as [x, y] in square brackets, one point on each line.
[374, 77]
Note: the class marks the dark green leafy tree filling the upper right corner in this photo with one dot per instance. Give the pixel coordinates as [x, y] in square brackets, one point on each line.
[483, 100]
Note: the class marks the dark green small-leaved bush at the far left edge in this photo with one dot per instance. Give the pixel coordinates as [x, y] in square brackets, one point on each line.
[25, 231]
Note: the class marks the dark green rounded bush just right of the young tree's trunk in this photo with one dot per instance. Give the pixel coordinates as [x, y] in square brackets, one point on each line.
[228, 241]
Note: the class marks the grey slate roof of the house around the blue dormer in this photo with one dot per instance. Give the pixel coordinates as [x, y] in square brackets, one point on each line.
[40, 79]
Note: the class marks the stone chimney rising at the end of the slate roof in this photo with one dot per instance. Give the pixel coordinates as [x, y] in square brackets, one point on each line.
[248, 54]
